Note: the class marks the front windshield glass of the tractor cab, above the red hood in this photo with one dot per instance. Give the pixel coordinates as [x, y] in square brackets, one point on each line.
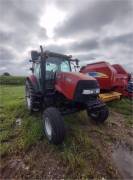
[56, 64]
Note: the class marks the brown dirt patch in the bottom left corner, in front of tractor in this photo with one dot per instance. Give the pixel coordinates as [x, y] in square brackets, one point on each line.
[37, 163]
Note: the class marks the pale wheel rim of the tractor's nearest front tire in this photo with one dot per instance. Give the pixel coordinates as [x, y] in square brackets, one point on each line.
[48, 128]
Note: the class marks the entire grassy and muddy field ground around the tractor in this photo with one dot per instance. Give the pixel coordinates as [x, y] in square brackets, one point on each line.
[89, 150]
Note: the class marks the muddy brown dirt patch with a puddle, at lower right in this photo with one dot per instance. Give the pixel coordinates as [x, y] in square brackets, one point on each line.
[114, 142]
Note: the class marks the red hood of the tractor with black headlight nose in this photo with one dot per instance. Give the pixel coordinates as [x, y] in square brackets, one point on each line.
[71, 83]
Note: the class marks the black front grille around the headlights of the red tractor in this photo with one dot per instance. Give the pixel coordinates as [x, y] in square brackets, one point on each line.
[85, 84]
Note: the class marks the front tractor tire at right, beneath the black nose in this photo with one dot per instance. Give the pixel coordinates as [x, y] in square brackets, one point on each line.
[99, 116]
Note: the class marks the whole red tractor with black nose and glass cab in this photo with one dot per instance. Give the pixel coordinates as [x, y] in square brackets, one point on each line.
[58, 91]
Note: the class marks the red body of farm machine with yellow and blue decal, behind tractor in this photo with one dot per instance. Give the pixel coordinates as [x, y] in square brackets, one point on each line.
[110, 77]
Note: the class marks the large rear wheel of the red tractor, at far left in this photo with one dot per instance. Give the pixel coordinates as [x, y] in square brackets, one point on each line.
[32, 101]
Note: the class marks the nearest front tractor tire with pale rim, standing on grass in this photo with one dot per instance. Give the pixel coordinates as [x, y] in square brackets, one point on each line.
[53, 125]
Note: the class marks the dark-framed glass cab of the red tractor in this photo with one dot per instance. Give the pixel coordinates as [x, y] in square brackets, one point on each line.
[47, 65]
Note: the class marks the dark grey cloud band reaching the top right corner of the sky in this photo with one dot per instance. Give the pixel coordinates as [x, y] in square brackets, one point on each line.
[94, 16]
